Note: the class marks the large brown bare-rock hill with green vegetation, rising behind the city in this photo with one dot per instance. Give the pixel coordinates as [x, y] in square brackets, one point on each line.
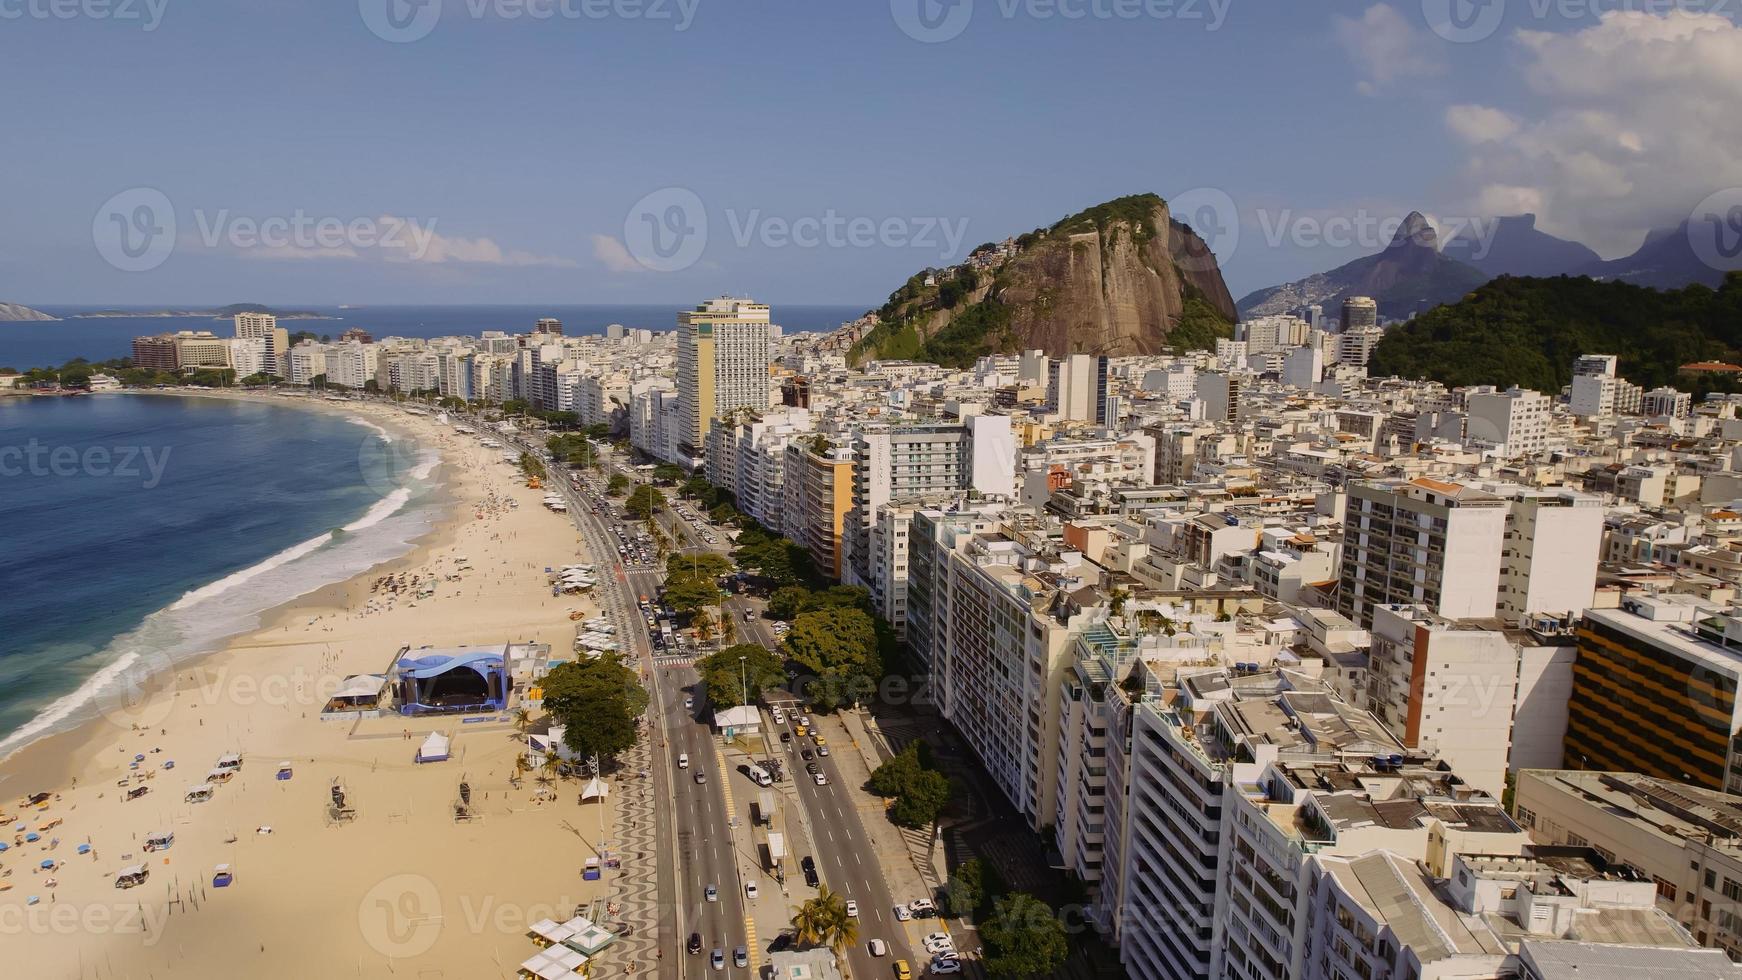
[1119, 279]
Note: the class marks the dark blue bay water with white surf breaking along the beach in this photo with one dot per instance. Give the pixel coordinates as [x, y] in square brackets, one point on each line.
[138, 532]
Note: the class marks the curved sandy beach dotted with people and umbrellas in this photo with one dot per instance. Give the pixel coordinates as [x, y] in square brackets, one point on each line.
[402, 890]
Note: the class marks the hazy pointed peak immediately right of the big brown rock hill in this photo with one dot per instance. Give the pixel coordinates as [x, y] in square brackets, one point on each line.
[1408, 278]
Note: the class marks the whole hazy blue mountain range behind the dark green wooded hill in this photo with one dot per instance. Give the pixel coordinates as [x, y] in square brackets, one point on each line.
[1414, 274]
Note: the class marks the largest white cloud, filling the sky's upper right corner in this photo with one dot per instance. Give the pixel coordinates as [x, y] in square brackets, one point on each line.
[1638, 124]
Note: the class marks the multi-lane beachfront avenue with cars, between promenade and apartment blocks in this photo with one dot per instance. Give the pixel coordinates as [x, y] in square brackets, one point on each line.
[696, 836]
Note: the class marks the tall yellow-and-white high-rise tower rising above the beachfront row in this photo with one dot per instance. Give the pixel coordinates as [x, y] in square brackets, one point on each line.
[722, 365]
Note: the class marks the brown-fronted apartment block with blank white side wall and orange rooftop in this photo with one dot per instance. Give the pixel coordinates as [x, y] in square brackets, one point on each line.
[1421, 542]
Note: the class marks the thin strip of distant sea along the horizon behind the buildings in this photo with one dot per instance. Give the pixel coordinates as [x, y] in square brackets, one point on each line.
[57, 342]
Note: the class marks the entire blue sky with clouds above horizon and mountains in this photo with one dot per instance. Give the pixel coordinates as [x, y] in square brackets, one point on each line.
[517, 159]
